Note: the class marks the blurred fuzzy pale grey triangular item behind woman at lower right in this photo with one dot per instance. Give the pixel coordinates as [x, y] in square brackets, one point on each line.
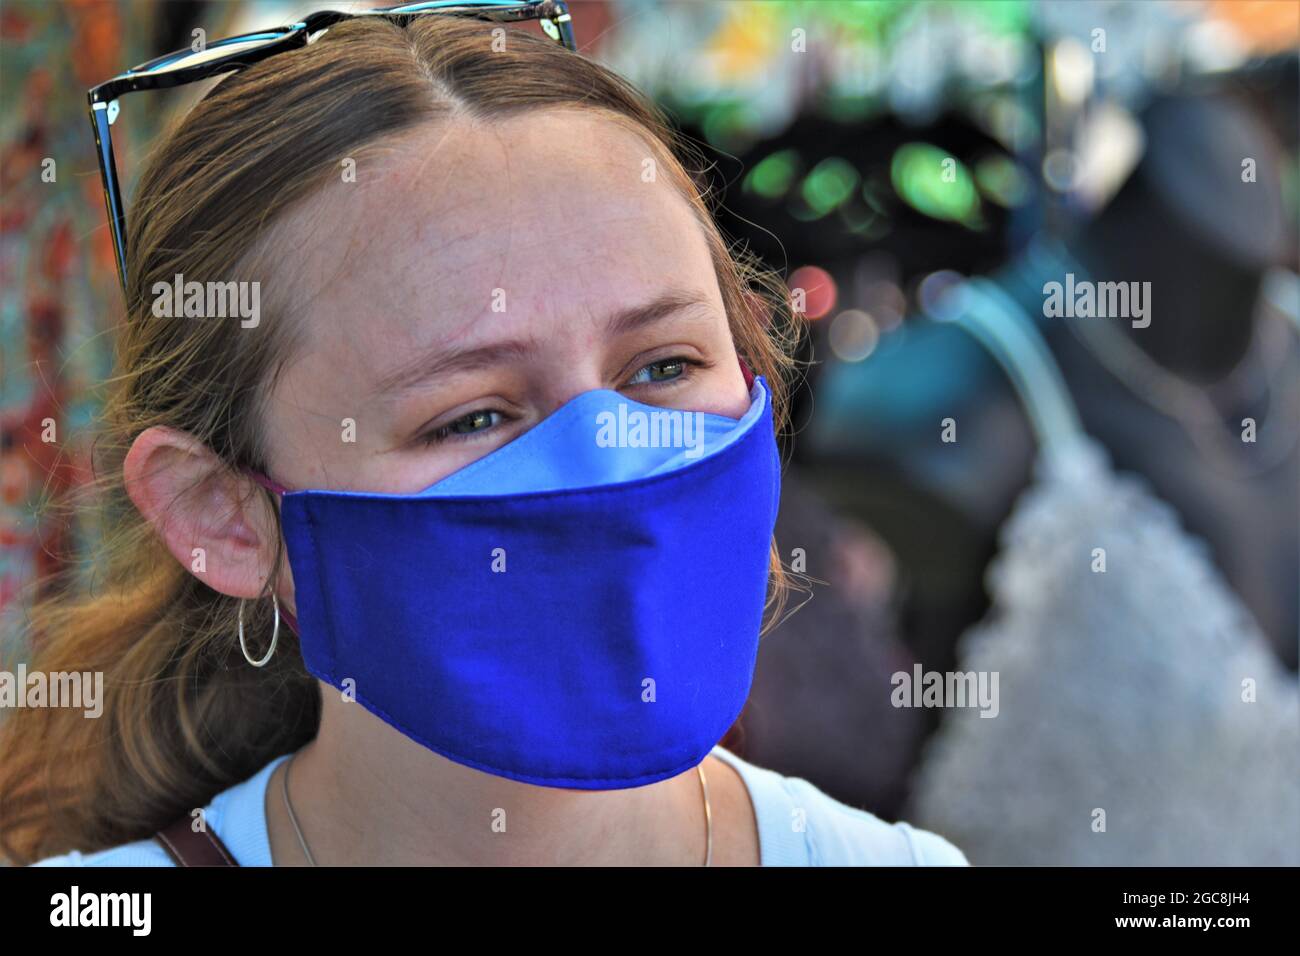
[1119, 690]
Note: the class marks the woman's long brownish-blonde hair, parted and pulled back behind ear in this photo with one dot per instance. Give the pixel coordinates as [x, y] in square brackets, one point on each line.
[184, 716]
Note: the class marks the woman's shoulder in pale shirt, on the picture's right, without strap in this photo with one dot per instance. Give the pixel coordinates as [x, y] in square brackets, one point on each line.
[803, 827]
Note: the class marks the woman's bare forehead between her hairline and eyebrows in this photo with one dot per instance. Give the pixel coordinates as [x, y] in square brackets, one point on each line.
[534, 219]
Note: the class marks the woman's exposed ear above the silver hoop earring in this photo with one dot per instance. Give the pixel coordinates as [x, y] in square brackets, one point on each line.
[214, 521]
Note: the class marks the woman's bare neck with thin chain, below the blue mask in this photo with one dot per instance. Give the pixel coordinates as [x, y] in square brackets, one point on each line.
[366, 795]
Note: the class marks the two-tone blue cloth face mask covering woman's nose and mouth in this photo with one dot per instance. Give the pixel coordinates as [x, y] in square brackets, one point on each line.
[579, 608]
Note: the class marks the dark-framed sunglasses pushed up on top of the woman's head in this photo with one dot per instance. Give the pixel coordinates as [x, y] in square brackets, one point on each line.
[233, 54]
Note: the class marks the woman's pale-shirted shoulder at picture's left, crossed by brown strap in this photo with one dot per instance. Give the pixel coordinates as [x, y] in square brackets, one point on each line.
[237, 816]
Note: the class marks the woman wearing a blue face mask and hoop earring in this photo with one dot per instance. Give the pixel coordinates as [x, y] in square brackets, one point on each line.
[514, 629]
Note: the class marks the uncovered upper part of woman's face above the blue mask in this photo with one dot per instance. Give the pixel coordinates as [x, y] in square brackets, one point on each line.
[474, 279]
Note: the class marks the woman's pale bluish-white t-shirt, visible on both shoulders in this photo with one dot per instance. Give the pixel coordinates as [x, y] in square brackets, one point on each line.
[798, 827]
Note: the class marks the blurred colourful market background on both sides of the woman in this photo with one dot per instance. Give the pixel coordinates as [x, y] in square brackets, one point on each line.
[1103, 513]
